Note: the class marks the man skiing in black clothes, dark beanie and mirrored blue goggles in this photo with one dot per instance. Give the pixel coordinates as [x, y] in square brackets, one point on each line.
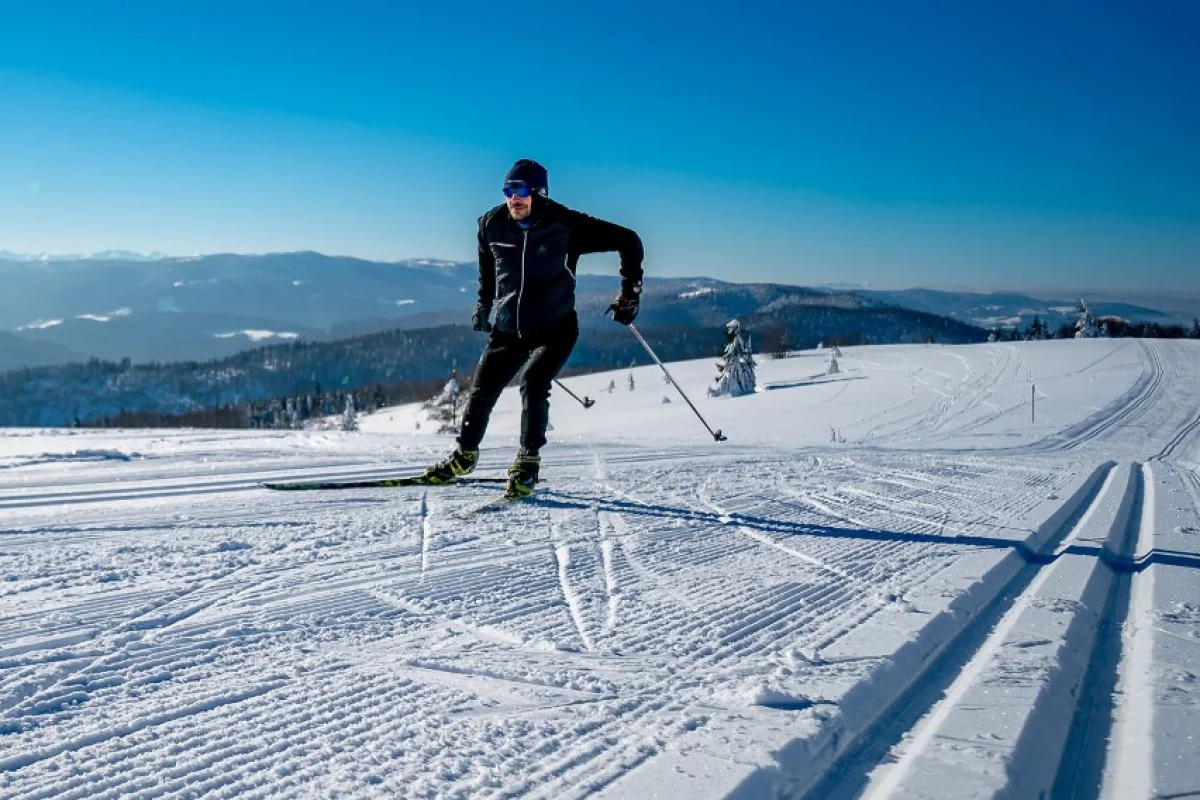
[529, 250]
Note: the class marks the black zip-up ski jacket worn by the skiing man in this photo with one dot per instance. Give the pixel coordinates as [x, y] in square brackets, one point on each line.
[530, 275]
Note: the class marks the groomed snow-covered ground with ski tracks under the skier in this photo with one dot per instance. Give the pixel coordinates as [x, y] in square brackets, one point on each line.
[901, 581]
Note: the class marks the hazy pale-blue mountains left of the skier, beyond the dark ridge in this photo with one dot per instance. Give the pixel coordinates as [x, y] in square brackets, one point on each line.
[206, 308]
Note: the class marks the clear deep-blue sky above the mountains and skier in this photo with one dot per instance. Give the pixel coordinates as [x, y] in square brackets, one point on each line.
[950, 143]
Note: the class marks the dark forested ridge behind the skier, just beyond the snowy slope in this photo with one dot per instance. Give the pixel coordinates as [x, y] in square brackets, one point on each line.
[399, 365]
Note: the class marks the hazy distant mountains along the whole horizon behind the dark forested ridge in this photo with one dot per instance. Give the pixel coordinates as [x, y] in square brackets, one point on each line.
[151, 308]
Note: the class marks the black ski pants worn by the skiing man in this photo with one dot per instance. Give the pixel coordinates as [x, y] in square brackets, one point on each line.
[543, 357]
